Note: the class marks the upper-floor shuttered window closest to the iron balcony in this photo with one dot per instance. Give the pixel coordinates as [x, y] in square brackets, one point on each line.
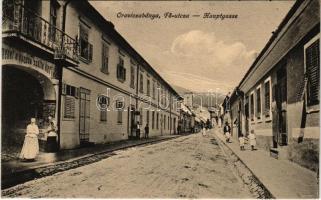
[86, 49]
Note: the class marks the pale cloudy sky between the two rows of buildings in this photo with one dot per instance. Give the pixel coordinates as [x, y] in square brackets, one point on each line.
[196, 53]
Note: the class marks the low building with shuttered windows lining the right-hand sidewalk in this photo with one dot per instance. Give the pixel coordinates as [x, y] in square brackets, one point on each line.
[279, 96]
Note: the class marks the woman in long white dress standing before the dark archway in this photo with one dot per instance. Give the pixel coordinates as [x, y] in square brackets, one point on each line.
[30, 148]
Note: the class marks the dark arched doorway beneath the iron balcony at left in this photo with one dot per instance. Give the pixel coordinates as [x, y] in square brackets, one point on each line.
[26, 94]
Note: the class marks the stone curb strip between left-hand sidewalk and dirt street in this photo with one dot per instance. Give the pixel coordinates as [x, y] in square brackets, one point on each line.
[53, 168]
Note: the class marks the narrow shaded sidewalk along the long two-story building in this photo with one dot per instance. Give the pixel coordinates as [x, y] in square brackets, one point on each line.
[15, 172]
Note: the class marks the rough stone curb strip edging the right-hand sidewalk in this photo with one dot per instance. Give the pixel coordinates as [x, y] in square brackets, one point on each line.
[246, 174]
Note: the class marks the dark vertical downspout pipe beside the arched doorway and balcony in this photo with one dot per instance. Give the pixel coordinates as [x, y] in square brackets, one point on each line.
[60, 70]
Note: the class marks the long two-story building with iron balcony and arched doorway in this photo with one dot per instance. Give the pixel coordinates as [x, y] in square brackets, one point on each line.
[63, 59]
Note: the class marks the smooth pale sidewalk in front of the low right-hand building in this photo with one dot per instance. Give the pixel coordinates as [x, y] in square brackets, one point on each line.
[282, 178]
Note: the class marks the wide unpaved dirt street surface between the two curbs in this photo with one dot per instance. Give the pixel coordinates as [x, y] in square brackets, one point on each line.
[187, 167]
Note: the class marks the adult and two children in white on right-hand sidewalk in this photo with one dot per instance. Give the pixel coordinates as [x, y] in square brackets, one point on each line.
[251, 137]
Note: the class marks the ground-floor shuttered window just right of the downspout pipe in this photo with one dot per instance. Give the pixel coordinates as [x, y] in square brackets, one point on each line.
[70, 93]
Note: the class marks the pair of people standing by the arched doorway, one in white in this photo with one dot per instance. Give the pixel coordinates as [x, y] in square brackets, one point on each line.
[30, 148]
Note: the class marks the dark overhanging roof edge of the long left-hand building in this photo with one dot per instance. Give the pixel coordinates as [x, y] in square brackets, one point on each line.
[110, 30]
